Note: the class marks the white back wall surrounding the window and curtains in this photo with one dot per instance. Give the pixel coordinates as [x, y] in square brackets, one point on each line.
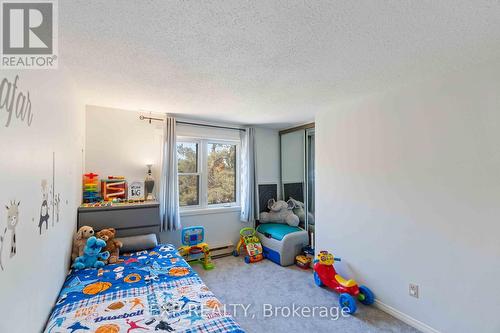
[118, 143]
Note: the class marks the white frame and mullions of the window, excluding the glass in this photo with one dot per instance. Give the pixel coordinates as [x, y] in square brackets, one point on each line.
[203, 173]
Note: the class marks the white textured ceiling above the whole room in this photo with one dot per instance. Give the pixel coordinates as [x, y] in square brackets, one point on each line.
[265, 62]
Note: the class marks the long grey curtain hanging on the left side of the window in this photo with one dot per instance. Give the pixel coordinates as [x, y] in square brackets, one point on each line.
[169, 186]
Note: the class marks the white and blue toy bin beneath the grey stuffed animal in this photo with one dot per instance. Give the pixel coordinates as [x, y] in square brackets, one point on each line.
[281, 242]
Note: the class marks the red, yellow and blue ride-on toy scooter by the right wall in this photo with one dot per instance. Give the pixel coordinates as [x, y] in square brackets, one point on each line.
[325, 274]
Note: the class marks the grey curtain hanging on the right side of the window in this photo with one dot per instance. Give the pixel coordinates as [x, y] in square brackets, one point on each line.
[247, 175]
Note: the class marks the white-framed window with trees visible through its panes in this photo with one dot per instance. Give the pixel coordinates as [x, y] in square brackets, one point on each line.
[208, 173]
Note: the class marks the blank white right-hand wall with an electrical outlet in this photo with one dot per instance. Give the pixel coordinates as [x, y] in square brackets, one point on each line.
[408, 190]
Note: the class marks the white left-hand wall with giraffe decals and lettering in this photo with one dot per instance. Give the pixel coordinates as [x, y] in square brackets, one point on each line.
[33, 277]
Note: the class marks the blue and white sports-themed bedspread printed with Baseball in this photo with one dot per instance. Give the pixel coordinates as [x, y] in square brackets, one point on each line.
[152, 290]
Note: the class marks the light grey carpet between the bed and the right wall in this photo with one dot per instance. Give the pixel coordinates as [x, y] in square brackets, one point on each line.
[254, 285]
